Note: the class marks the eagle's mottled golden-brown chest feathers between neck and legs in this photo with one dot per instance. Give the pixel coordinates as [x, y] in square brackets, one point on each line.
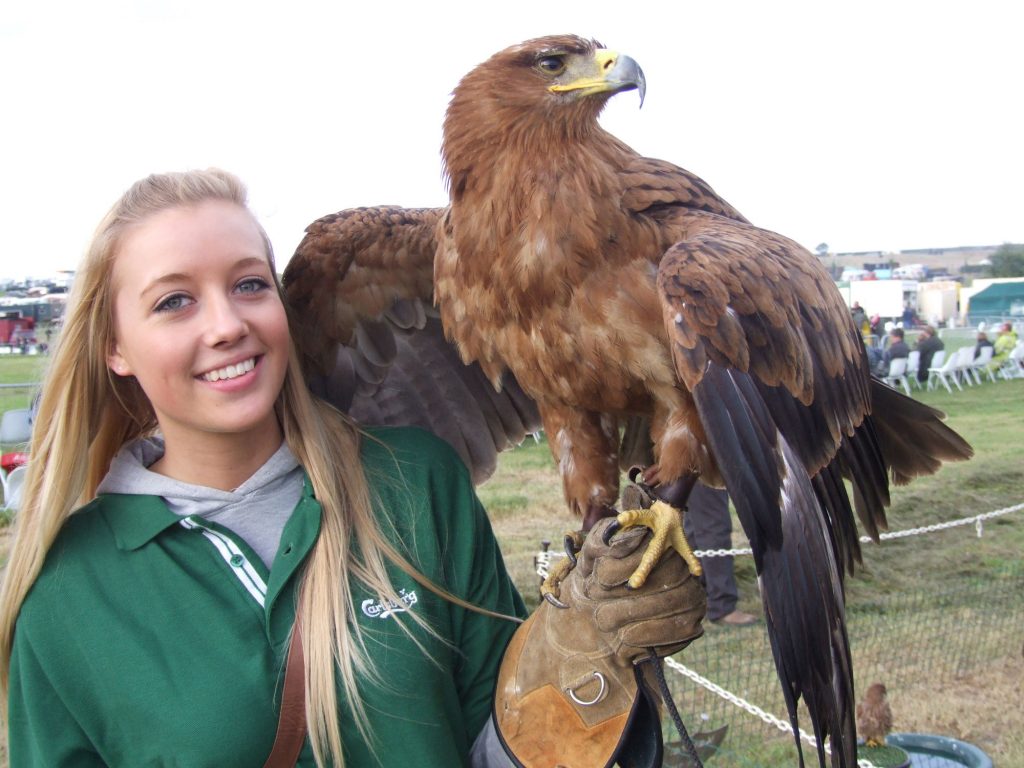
[545, 289]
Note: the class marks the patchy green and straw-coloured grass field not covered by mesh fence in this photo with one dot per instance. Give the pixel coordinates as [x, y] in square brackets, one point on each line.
[980, 705]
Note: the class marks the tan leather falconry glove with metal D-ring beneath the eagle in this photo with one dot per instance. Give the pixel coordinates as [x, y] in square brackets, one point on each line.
[573, 691]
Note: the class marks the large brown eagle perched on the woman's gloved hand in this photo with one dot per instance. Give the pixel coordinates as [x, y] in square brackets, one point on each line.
[621, 305]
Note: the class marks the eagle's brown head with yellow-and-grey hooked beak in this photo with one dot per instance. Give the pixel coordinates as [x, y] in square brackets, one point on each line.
[532, 96]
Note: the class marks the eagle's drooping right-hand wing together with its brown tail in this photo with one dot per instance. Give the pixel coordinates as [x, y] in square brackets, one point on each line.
[779, 375]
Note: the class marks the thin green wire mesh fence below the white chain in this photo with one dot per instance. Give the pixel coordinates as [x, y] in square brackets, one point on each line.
[906, 641]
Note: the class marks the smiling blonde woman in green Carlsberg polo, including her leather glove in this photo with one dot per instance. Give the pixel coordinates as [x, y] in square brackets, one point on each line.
[189, 503]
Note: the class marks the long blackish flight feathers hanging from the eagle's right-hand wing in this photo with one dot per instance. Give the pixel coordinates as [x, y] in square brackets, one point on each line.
[794, 549]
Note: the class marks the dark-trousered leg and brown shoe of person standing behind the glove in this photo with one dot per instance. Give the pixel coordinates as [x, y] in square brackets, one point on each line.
[709, 527]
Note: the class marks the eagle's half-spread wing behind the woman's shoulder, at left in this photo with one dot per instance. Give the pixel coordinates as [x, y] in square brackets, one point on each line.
[360, 289]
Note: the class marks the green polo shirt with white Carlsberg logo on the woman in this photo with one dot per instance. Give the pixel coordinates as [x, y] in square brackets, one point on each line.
[155, 641]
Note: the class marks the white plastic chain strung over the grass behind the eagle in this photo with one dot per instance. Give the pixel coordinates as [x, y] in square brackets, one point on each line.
[543, 563]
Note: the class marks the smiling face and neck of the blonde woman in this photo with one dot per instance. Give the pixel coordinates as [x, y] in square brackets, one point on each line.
[198, 322]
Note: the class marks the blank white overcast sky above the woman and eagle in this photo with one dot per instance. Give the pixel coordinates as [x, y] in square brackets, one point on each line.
[867, 125]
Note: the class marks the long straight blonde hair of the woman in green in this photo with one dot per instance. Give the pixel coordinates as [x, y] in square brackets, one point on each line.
[87, 414]
